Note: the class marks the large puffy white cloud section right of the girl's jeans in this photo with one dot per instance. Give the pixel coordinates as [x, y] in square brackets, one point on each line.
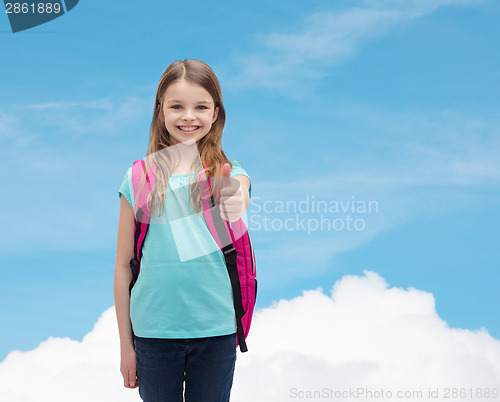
[364, 335]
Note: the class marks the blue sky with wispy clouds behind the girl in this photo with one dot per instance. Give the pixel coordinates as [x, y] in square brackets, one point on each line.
[389, 101]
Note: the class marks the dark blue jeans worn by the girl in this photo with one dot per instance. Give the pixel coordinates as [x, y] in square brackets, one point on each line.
[205, 365]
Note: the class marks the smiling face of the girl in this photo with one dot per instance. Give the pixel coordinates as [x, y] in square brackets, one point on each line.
[188, 110]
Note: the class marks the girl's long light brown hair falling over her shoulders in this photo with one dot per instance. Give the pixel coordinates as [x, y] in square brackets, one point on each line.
[212, 156]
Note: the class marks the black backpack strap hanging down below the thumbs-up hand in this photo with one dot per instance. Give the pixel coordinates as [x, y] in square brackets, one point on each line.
[230, 256]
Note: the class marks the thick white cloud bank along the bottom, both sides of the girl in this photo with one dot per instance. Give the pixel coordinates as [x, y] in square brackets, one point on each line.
[364, 335]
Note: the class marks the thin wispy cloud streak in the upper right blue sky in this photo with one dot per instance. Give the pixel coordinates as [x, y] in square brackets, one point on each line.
[290, 61]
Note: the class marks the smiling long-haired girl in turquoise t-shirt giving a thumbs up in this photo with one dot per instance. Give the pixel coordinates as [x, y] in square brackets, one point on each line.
[177, 327]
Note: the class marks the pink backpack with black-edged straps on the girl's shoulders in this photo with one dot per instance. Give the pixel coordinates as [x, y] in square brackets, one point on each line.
[232, 239]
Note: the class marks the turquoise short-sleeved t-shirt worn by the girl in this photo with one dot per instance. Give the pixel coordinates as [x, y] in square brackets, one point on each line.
[183, 289]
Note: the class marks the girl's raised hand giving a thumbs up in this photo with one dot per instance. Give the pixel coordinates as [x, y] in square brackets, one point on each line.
[233, 195]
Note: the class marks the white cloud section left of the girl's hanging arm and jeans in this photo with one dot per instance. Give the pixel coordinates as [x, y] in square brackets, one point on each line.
[62, 370]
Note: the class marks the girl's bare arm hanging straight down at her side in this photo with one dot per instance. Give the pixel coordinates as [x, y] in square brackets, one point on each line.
[123, 276]
